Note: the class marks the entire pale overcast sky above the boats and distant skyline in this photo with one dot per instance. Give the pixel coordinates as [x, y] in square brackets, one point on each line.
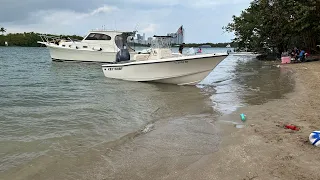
[202, 19]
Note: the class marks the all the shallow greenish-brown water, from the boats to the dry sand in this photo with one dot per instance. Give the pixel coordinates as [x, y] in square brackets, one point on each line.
[66, 120]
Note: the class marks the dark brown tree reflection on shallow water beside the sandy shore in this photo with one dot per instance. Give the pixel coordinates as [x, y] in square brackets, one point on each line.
[266, 82]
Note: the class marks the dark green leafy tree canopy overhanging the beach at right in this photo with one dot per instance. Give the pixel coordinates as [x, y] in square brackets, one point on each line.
[279, 24]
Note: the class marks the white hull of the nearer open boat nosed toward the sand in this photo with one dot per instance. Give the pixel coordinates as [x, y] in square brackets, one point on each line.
[182, 71]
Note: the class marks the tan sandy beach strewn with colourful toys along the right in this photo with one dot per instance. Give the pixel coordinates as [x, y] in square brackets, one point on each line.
[263, 149]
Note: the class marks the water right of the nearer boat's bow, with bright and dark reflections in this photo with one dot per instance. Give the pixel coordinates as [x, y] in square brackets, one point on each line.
[242, 80]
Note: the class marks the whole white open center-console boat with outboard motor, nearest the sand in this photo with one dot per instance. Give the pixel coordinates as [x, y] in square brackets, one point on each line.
[159, 64]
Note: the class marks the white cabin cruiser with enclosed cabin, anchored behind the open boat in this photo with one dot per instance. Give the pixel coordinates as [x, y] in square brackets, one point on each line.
[96, 46]
